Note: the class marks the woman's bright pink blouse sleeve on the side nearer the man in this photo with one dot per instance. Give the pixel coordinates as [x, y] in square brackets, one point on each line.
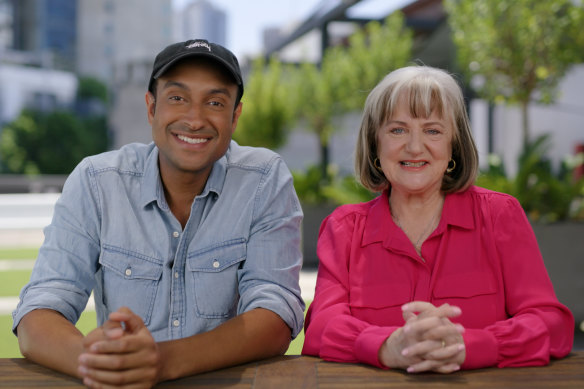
[331, 332]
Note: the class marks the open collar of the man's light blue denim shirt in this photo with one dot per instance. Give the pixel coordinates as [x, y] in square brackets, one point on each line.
[152, 189]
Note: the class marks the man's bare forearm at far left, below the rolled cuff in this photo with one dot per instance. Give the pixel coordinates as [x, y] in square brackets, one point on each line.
[47, 338]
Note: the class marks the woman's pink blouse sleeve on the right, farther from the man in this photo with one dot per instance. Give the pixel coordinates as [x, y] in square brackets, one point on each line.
[538, 327]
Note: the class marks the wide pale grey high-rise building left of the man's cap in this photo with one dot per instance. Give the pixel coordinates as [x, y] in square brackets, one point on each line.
[117, 41]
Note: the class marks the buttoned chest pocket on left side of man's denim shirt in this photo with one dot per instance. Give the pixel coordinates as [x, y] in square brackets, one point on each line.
[130, 279]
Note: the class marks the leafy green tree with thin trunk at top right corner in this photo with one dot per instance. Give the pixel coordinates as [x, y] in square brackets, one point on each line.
[521, 49]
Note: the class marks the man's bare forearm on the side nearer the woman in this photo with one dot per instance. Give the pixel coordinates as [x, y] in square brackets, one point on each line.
[253, 335]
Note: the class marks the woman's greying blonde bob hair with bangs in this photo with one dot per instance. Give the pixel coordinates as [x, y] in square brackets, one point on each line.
[426, 90]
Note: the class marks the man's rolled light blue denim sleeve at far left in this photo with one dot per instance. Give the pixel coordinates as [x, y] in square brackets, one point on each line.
[63, 275]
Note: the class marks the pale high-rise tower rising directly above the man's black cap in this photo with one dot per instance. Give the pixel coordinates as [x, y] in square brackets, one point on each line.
[203, 20]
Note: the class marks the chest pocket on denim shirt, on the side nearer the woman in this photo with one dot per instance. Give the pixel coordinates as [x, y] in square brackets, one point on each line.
[214, 279]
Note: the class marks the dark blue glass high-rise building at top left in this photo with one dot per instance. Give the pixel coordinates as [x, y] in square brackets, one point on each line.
[47, 27]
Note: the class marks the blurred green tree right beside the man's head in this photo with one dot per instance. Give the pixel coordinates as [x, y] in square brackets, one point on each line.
[268, 106]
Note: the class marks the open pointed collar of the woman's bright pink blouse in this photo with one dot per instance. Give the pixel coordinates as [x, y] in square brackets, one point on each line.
[379, 227]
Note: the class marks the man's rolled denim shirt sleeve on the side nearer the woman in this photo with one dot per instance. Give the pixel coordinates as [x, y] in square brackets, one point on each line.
[269, 278]
